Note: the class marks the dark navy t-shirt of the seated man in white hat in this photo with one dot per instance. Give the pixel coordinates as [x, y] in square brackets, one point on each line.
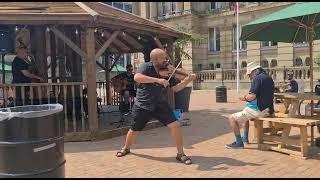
[263, 87]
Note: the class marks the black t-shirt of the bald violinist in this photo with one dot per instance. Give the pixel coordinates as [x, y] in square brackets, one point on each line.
[151, 95]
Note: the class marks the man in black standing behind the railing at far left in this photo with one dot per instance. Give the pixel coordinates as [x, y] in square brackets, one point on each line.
[21, 73]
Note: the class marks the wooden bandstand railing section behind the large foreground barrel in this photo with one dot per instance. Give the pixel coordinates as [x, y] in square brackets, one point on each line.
[69, 94]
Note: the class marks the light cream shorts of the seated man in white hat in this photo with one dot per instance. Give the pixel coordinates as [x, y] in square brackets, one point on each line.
[245, 115]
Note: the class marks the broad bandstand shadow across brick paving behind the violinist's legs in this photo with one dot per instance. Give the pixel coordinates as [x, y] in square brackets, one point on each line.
[206, 124]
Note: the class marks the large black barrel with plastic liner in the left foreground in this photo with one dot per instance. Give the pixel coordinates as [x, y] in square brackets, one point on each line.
[32, 141]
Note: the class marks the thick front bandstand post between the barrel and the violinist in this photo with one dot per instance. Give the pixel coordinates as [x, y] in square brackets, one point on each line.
[91, 78]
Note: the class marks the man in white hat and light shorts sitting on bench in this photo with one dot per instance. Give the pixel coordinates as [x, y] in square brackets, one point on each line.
[259, 103]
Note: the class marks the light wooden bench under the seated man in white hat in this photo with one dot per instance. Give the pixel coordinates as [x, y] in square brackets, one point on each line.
[283, 139]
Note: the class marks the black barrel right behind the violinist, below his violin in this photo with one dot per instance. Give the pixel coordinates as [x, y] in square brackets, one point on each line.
[182, 99]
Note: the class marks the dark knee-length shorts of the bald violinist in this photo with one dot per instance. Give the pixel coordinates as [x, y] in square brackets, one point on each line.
[142, 116]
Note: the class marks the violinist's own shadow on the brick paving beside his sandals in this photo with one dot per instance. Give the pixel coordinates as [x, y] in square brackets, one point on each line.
[204, 163]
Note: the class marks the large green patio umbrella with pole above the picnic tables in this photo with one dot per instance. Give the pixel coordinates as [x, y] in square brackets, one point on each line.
[296, 23]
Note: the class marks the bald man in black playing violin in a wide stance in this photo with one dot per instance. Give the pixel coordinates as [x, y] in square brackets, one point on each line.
[151, 102]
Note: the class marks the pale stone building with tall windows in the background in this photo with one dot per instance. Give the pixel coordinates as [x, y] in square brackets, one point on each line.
[216, 24]
